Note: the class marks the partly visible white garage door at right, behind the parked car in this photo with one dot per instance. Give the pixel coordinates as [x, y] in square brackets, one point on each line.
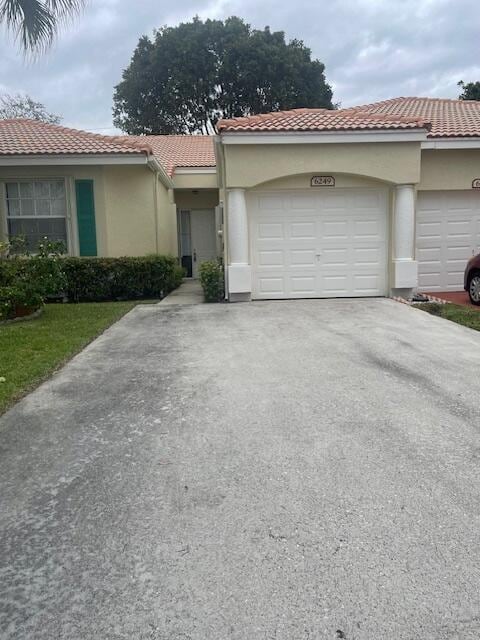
[448, 233]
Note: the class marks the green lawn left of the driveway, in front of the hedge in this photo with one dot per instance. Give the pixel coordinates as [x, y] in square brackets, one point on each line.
[30, 351]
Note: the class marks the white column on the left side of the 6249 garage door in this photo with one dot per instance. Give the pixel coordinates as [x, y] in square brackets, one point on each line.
[239, 270]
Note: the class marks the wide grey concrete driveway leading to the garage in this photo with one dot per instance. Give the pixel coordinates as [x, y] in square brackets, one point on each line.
[284, 470]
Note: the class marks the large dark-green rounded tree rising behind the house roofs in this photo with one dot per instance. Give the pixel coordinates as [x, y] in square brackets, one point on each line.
[187, 77]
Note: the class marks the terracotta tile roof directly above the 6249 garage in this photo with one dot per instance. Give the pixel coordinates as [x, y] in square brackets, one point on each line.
[321, 120]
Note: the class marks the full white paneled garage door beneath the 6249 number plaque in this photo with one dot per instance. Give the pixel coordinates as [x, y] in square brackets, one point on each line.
[318, 244]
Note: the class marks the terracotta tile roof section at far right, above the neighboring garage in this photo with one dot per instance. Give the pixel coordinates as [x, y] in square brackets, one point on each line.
[449, 118]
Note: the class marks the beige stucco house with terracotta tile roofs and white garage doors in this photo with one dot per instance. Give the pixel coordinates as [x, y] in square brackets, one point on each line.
[374, 200]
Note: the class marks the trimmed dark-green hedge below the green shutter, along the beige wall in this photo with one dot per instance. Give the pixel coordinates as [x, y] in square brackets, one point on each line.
[97, 279]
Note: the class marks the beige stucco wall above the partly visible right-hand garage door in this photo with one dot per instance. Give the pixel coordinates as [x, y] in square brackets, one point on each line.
[449, 168]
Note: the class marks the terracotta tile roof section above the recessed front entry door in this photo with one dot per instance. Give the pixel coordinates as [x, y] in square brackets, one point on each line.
[181, 151]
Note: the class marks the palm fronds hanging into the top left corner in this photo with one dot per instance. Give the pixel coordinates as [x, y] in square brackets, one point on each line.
[35, 22]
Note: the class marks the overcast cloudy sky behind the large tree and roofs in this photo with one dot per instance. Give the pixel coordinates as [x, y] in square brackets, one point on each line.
[372, 49]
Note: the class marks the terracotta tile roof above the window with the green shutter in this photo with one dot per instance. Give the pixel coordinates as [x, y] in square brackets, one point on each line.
[30, 137]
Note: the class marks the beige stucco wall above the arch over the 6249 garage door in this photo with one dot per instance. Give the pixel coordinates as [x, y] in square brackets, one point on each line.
[250, 165]
